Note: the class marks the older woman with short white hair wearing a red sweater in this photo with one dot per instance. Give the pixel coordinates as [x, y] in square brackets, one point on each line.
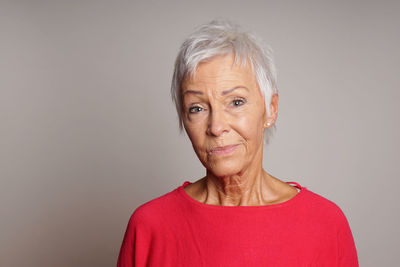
[224, 88]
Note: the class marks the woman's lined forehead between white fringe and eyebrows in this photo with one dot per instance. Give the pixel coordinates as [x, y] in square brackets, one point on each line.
[220, 72]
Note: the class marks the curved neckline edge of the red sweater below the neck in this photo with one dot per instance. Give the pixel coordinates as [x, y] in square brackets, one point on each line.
[301, 191]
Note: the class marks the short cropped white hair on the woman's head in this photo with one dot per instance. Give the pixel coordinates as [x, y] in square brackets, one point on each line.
[220, 38]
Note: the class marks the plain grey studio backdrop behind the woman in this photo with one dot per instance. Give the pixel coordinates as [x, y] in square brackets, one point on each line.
[88, 131]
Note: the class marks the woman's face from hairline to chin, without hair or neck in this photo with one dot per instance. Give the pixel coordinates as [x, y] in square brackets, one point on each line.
[224, 116]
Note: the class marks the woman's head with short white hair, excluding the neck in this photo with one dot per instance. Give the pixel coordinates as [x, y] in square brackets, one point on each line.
[225, 94]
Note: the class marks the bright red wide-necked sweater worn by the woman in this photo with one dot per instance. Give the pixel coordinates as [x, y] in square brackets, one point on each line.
[175, 230]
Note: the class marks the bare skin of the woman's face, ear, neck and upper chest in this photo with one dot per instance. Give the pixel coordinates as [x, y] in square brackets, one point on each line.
[223, 106]
